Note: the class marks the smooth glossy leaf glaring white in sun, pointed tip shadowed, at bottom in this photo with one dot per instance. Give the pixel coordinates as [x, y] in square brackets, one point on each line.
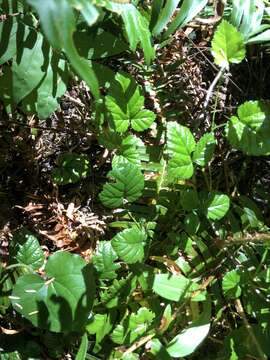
[189, 339]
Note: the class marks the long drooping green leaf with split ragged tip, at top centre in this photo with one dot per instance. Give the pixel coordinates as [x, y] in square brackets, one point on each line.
[137, 28]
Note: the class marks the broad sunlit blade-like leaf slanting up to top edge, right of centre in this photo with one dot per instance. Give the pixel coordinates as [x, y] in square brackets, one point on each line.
[189, 9]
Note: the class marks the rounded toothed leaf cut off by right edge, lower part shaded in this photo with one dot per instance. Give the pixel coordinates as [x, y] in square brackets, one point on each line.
[249, 131]
